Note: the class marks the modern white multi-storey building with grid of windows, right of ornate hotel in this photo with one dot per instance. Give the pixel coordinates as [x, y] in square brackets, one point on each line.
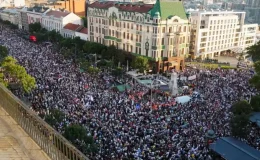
[216, 32]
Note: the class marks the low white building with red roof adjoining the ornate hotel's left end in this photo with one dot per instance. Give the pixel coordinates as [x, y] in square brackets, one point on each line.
[73, 30]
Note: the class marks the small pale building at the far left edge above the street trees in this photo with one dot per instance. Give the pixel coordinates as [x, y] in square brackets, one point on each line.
[10, 15]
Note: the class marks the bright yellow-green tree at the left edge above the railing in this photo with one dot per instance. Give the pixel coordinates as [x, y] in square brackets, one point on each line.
[18, 74]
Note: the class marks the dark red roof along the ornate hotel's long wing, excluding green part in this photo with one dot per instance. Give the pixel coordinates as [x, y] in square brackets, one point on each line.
[141, 8]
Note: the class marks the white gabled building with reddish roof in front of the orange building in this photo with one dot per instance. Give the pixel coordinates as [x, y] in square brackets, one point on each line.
[56, 20]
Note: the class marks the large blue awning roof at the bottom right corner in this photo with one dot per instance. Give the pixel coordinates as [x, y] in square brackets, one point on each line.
[232, 149]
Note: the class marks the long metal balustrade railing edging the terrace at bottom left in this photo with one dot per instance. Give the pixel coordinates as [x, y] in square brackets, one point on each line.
[50, 141]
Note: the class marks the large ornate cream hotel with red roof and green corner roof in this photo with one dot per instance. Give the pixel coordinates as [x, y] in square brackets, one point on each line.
[159, 30]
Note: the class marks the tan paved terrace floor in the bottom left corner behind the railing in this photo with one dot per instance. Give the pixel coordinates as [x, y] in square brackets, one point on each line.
[15, 144]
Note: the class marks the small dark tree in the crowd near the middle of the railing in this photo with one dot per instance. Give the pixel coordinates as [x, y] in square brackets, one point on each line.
[54, 118]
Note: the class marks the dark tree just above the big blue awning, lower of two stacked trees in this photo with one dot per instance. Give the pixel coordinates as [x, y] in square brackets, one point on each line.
[240, 126]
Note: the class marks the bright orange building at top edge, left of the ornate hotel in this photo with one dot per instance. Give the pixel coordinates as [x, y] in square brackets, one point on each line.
[77, 7]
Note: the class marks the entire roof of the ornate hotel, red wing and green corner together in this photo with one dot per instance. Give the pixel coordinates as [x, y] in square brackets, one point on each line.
[165, 8]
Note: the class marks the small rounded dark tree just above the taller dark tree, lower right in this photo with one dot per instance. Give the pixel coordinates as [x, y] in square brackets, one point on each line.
[241, 107]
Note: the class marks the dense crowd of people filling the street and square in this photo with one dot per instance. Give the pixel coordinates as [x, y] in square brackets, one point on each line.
[129, 124]
